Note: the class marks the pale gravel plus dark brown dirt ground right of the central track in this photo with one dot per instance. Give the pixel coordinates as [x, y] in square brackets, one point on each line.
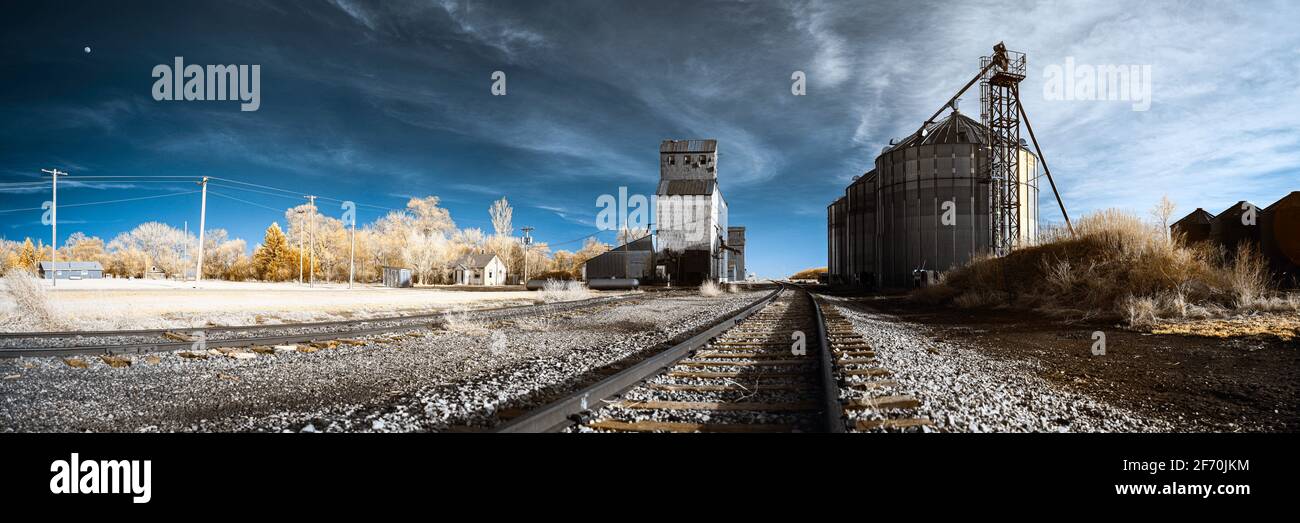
[996, 371]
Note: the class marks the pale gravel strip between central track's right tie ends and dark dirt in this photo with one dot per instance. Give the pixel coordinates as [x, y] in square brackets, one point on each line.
[964, 391]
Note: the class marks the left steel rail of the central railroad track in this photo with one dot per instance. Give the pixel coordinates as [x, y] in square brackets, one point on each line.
[566, 412]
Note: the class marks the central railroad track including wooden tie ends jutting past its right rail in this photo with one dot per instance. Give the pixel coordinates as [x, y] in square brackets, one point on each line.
[746, 375]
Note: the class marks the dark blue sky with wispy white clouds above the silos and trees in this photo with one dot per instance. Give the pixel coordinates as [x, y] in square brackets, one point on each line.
[378, 102]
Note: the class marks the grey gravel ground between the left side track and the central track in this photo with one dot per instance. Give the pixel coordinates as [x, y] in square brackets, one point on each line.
[423, 381]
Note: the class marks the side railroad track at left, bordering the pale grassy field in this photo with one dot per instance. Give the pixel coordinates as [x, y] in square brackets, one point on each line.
[83, 343]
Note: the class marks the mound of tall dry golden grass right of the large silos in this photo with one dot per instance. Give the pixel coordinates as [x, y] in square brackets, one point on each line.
[1116, 266]
